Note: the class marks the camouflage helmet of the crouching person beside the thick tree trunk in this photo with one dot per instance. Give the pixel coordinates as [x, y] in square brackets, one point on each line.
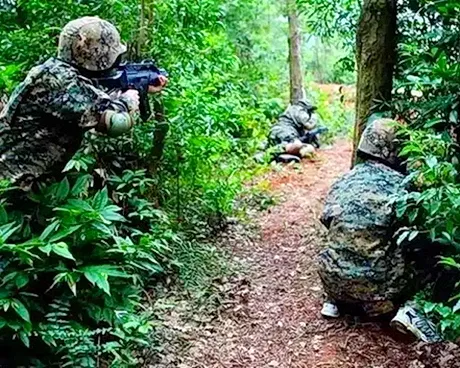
[378, 141]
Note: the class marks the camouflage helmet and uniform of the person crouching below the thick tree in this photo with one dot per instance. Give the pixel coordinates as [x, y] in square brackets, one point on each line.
[361, 265]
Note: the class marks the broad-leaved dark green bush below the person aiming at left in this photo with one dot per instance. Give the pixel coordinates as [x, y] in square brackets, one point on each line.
[76, 266]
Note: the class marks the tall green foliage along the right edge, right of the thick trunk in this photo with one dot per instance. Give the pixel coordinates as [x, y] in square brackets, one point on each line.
[428, 99]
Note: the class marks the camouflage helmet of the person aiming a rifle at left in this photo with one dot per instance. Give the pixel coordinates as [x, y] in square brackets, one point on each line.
[90, 43]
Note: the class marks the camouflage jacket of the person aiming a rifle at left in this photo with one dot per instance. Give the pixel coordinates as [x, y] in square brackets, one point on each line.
[43, 123]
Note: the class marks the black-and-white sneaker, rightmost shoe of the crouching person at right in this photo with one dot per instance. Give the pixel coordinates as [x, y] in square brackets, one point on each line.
[409, 322]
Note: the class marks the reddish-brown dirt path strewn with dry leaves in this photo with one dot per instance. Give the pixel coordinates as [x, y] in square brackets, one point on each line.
[269, 316]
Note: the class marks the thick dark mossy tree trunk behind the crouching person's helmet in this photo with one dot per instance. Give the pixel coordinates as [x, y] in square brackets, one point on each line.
[376, 59]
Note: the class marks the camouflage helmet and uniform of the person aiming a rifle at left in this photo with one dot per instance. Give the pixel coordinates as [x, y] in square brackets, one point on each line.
[42, 125]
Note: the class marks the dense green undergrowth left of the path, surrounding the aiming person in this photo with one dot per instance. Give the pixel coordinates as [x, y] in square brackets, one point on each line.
[81, 255]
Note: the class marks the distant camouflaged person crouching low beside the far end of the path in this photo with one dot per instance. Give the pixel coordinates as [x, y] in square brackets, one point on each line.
[289, 133]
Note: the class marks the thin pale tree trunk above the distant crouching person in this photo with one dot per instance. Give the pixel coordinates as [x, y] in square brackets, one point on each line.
[295, 53]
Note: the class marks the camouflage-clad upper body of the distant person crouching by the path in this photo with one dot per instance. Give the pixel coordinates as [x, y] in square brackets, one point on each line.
[292, 125]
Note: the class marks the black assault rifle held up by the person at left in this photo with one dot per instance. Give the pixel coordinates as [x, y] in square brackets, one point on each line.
[138, 76]
